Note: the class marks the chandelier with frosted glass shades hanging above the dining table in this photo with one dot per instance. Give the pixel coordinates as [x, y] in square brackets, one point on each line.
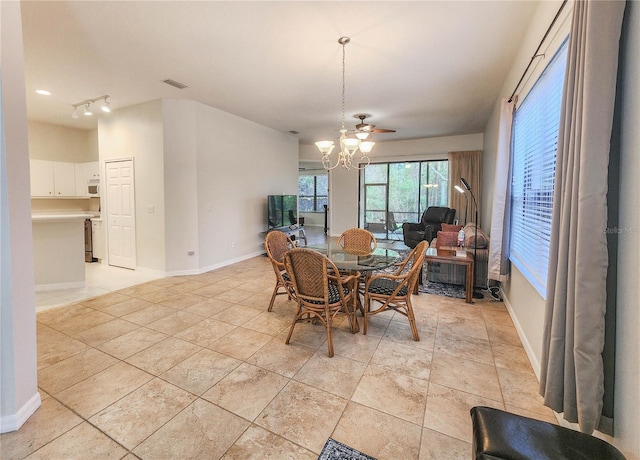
[348, 145]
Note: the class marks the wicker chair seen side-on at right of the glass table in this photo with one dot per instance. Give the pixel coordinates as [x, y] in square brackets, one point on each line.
[394, 291]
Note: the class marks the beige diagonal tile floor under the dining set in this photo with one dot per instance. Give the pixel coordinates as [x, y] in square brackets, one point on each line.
[195, 367]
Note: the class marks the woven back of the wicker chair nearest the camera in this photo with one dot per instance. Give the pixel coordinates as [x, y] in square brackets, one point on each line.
[309, 274]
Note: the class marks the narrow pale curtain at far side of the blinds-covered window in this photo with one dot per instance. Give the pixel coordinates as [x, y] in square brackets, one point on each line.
[499, 248]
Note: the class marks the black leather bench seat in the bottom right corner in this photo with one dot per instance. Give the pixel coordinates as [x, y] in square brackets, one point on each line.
[501, 435]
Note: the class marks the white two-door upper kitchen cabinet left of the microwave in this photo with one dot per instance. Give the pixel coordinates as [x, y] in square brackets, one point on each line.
[52, 178]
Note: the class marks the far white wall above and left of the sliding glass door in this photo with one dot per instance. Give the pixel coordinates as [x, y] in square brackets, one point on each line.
[343, 184]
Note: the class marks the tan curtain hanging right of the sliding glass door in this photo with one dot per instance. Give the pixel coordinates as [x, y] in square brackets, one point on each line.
[468, 166]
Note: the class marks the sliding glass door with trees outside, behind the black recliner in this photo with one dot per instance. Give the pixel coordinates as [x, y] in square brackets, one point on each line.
[393, 193]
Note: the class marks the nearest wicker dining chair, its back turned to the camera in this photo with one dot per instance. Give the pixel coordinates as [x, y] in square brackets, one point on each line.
[321, 291]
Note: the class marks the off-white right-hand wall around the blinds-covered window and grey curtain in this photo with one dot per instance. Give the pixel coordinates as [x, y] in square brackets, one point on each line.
[526, 306]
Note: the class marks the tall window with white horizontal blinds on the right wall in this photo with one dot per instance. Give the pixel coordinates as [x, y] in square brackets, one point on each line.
[534, 144]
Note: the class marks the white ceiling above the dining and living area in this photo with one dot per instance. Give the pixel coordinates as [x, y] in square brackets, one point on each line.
[424, 68]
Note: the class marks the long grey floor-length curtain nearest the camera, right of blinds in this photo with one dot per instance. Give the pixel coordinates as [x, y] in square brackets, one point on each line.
[571, 368]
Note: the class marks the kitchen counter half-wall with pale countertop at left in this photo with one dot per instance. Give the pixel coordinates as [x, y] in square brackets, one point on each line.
[58, 249]
